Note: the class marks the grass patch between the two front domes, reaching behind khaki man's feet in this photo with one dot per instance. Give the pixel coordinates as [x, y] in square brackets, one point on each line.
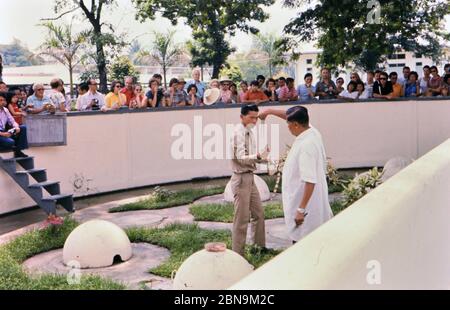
[183, 240]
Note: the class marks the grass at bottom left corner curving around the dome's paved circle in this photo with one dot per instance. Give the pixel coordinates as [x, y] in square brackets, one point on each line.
[13, 254]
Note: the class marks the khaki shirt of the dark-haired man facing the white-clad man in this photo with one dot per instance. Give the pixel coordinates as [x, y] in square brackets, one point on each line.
[245, 156]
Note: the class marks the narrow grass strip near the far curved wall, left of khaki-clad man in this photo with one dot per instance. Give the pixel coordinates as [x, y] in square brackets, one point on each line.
[175, 199]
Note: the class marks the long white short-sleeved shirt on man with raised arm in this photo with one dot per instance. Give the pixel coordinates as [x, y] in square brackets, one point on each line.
[306, 162]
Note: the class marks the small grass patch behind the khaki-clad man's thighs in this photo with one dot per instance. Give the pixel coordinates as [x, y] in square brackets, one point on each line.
[216, 212]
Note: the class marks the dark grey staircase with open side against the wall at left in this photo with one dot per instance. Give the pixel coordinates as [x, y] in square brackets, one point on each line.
[34, 182]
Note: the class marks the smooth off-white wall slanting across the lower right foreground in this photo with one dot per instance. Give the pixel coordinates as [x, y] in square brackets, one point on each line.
[398, 236]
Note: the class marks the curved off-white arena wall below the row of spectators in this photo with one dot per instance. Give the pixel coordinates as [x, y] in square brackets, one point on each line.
[120, 151]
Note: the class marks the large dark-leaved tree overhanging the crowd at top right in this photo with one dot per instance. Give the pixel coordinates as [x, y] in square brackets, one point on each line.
[349, 31]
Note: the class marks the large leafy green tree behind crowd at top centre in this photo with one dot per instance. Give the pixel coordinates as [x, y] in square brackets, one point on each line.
[211, 22]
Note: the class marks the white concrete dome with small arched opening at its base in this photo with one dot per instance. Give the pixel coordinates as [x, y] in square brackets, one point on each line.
[96, 244]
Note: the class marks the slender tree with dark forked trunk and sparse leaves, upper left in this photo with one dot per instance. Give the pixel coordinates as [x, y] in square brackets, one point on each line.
[102, 34]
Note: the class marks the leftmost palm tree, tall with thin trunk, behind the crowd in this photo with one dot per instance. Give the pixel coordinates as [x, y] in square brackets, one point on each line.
[64, 46]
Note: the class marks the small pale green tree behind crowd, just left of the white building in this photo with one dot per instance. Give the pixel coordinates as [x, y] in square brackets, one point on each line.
[270, 45]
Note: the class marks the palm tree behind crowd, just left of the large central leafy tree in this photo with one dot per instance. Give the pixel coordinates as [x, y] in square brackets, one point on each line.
[164, 51]
